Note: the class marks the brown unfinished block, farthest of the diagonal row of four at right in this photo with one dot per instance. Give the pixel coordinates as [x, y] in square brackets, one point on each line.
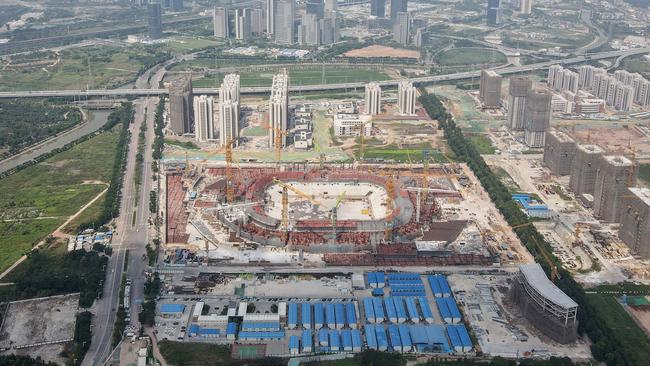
[559, 150]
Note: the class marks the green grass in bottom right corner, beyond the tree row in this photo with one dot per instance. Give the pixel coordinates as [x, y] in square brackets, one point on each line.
[634, 341]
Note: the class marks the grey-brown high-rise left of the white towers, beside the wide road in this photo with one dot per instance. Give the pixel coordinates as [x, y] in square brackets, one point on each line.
[181, 103]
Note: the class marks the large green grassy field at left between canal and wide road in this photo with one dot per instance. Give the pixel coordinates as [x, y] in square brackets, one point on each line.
[56, 187]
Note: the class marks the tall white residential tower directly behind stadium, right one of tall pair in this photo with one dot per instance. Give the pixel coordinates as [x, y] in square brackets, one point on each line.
[279, 108]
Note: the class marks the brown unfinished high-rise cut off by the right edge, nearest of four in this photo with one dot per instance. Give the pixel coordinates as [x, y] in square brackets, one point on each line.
[635, 221]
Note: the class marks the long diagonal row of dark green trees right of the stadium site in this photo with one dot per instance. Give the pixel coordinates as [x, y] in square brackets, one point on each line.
[605, 347]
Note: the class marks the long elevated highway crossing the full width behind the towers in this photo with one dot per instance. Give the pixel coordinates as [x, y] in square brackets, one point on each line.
[146, 92]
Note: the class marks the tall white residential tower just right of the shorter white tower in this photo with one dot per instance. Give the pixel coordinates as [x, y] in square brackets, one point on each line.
[228, 109]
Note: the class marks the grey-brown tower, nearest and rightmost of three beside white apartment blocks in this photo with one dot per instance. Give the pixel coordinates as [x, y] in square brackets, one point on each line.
[537, 117]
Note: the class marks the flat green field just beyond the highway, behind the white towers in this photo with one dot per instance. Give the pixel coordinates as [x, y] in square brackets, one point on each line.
[307, 76]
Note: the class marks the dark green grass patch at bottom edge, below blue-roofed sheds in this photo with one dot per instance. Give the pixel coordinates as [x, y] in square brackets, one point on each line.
[186, 353]
